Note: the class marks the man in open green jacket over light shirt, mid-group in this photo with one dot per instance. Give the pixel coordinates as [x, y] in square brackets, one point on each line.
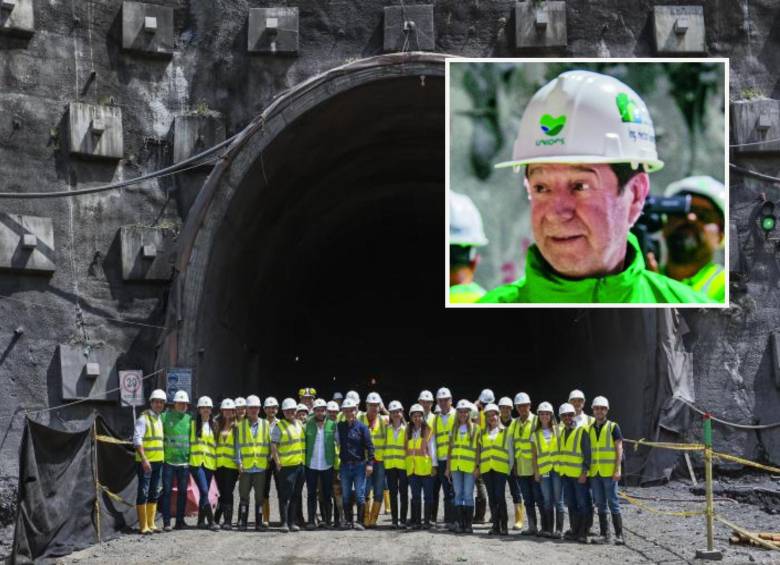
[320, 433]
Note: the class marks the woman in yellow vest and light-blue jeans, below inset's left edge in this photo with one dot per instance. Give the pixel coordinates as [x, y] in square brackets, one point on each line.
[462, 469]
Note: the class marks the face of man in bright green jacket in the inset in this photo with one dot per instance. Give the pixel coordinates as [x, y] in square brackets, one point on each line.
[579, 220]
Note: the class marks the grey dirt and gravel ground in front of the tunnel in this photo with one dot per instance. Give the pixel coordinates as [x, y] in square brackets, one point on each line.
[650, 538]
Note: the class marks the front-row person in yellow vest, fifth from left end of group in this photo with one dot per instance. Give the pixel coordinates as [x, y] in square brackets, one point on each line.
[253, 446]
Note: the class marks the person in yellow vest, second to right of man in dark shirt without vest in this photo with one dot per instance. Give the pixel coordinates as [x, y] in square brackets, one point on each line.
[395, 464]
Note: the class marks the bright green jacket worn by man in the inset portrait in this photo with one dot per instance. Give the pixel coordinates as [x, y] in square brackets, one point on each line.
[634, 284]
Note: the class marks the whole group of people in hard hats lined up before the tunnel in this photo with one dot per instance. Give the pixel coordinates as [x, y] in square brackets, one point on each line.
[469, 452]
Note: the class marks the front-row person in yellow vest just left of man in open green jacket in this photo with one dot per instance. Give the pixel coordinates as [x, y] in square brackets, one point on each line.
[288, 449]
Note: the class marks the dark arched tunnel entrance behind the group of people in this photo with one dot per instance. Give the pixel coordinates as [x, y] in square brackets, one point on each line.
[317, 260]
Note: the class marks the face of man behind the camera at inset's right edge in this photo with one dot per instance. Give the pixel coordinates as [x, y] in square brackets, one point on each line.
[694, 238]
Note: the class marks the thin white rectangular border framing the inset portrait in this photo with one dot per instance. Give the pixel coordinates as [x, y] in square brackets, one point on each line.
[569, 60]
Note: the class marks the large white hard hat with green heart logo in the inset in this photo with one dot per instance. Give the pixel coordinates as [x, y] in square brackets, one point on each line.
[585, 117]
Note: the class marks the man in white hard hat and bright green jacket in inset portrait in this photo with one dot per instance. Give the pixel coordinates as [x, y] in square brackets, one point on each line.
[587, 143]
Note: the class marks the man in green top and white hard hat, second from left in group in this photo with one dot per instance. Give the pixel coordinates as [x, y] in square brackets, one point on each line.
[176, 431]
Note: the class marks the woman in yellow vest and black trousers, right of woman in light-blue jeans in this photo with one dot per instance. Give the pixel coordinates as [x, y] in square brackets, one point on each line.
[496, 459]
